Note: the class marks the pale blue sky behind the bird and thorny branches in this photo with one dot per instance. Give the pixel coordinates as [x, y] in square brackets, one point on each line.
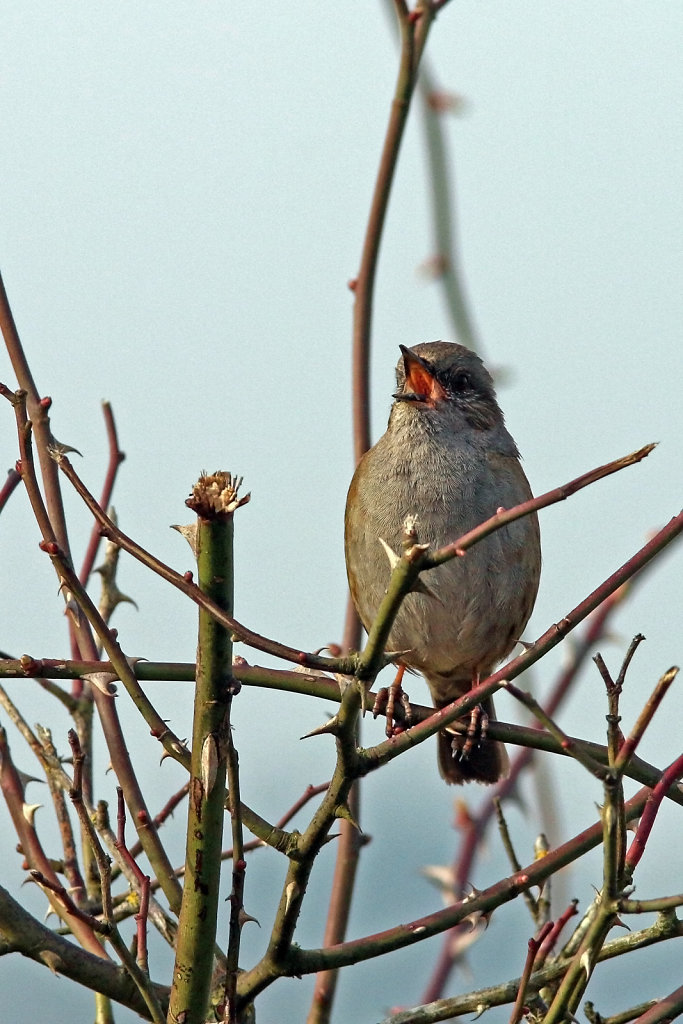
[184, 190]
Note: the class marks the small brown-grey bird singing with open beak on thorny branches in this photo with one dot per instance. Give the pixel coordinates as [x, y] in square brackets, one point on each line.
[449, 463]
